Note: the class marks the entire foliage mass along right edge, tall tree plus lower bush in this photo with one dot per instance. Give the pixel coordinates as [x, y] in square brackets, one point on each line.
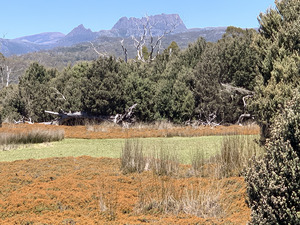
[274, 181]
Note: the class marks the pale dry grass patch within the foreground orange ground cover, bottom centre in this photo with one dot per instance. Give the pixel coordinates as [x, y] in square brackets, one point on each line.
[168, 198]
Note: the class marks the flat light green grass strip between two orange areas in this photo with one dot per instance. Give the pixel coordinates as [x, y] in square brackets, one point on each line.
[184, 146]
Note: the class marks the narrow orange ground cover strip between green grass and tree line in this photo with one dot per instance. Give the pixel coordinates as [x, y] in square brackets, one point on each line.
[98, 131]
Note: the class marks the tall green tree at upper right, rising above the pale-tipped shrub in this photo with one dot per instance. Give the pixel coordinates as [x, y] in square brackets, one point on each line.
[278, 49]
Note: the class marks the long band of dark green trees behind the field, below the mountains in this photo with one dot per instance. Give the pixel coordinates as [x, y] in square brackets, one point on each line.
[177, 85]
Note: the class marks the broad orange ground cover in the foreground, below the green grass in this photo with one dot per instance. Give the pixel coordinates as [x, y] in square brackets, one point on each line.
[75, 190]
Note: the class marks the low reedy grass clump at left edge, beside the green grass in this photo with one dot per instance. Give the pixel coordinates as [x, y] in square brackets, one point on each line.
[31, 136]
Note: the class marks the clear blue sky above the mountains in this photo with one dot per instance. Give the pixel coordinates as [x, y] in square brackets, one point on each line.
[27, 17]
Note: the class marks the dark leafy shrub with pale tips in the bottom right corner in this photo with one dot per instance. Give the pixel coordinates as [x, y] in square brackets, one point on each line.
[274, 181]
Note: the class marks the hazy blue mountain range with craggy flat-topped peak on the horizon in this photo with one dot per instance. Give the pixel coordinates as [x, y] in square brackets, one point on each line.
[124, 28]
